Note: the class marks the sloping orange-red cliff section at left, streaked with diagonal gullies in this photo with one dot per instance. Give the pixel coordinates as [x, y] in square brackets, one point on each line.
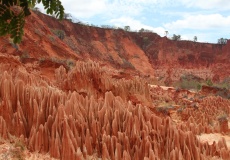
[108, 46]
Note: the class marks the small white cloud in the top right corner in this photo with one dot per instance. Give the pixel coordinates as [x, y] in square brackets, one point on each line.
[204, 4]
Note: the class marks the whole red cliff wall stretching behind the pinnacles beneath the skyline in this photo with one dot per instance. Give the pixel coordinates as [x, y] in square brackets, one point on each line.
[137, 53]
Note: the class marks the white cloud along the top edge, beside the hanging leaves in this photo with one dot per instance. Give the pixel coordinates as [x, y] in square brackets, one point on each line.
[110, 8]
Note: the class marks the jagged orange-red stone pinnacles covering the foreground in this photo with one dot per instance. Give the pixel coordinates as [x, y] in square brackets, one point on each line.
[69, 125]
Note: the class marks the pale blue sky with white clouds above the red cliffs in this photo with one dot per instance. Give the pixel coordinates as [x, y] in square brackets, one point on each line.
[209, 20]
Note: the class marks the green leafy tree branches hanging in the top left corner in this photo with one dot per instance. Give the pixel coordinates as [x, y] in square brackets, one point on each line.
[13, 13]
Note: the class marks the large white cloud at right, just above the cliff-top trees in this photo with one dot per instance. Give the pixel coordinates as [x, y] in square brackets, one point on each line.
[208, 28]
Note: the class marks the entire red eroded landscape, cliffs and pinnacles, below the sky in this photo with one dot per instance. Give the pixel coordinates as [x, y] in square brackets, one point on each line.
[71, 91]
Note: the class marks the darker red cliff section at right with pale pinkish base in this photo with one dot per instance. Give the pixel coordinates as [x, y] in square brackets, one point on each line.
[176, 58]
